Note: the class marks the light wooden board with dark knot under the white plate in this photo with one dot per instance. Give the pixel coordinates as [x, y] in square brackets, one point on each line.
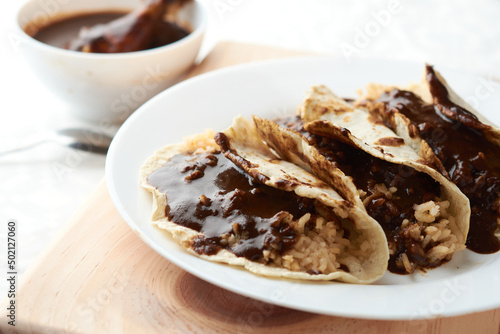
[97, 276]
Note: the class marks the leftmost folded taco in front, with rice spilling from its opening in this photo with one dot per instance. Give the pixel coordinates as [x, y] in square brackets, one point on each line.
[231, 200]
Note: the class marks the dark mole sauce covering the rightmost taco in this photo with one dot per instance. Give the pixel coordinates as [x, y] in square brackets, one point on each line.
[471, 160]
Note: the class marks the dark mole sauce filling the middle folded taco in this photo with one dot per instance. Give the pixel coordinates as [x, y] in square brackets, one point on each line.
[412, 188]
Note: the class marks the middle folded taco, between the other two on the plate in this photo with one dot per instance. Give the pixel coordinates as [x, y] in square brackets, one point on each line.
[424, 215]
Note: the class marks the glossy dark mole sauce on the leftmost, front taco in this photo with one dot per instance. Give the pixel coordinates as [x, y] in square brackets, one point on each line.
[211, 195]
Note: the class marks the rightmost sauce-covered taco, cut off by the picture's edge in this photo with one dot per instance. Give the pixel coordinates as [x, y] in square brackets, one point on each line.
[466, 143]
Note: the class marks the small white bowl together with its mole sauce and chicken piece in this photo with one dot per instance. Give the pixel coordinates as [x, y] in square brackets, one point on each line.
[105, 58]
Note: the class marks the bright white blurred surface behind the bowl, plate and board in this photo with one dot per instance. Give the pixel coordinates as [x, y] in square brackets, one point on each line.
[41, 188]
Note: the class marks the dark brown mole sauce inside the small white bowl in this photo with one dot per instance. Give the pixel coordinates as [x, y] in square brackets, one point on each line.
[61, 33]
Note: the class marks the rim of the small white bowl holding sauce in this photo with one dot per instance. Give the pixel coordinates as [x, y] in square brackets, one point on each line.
[192, 36]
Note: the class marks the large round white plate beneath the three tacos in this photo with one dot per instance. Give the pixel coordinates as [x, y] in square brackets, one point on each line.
[469, 283]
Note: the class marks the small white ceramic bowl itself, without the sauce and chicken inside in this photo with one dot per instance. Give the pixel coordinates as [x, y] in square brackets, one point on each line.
[107, 87]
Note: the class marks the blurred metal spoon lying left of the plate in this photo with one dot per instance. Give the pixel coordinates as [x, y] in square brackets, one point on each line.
[81, 139]
